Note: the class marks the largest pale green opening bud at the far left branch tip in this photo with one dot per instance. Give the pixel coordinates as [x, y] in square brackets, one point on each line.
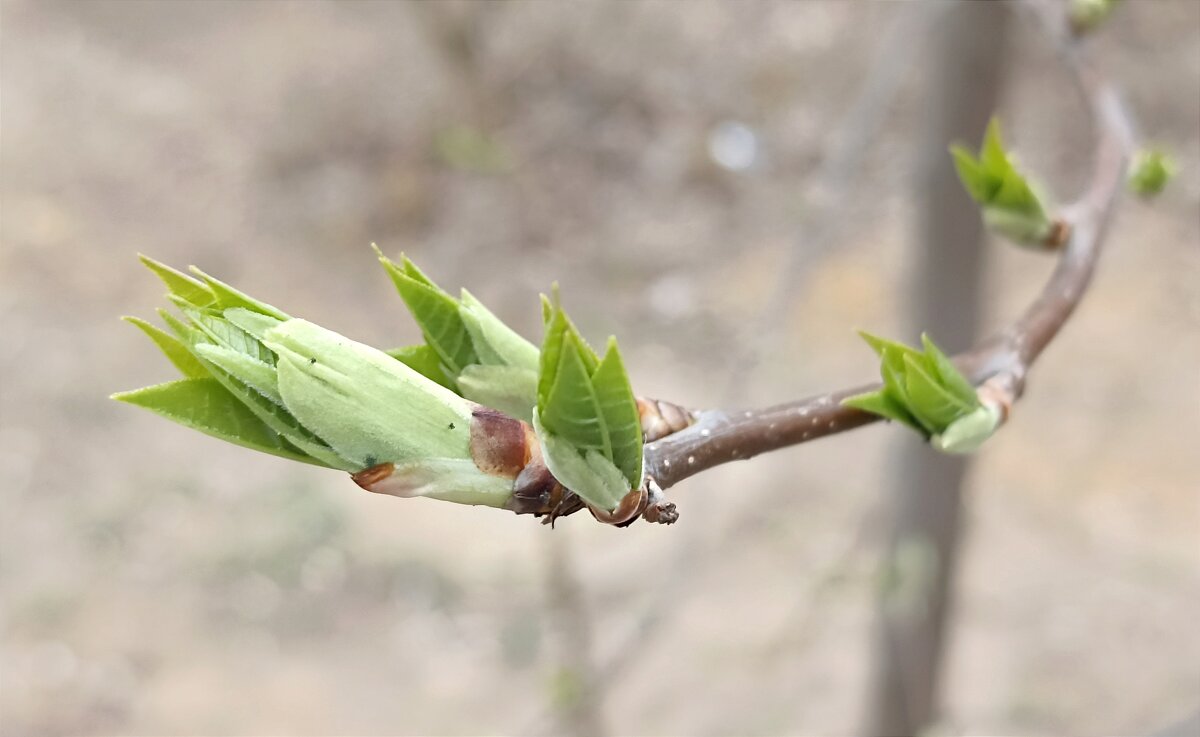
[256, 378]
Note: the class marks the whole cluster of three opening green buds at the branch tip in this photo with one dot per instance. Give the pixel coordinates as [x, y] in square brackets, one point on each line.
[257, 378]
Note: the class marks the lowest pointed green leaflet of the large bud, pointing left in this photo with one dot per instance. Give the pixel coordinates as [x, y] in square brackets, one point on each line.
[205, 405]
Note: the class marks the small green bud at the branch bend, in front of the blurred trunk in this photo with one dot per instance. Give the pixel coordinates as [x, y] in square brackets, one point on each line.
[926, 392]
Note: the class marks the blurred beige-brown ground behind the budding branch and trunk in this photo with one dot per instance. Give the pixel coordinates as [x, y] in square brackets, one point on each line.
[729, 188]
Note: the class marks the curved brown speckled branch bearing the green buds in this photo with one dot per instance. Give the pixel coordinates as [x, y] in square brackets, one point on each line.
[1004, 361]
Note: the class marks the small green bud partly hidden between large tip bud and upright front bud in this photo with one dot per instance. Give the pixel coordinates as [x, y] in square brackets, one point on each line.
[473, 347]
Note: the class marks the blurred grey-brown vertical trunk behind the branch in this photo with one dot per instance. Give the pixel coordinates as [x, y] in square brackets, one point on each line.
[919, 571]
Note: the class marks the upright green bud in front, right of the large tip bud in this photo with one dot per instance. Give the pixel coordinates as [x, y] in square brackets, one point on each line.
[587, 417]
